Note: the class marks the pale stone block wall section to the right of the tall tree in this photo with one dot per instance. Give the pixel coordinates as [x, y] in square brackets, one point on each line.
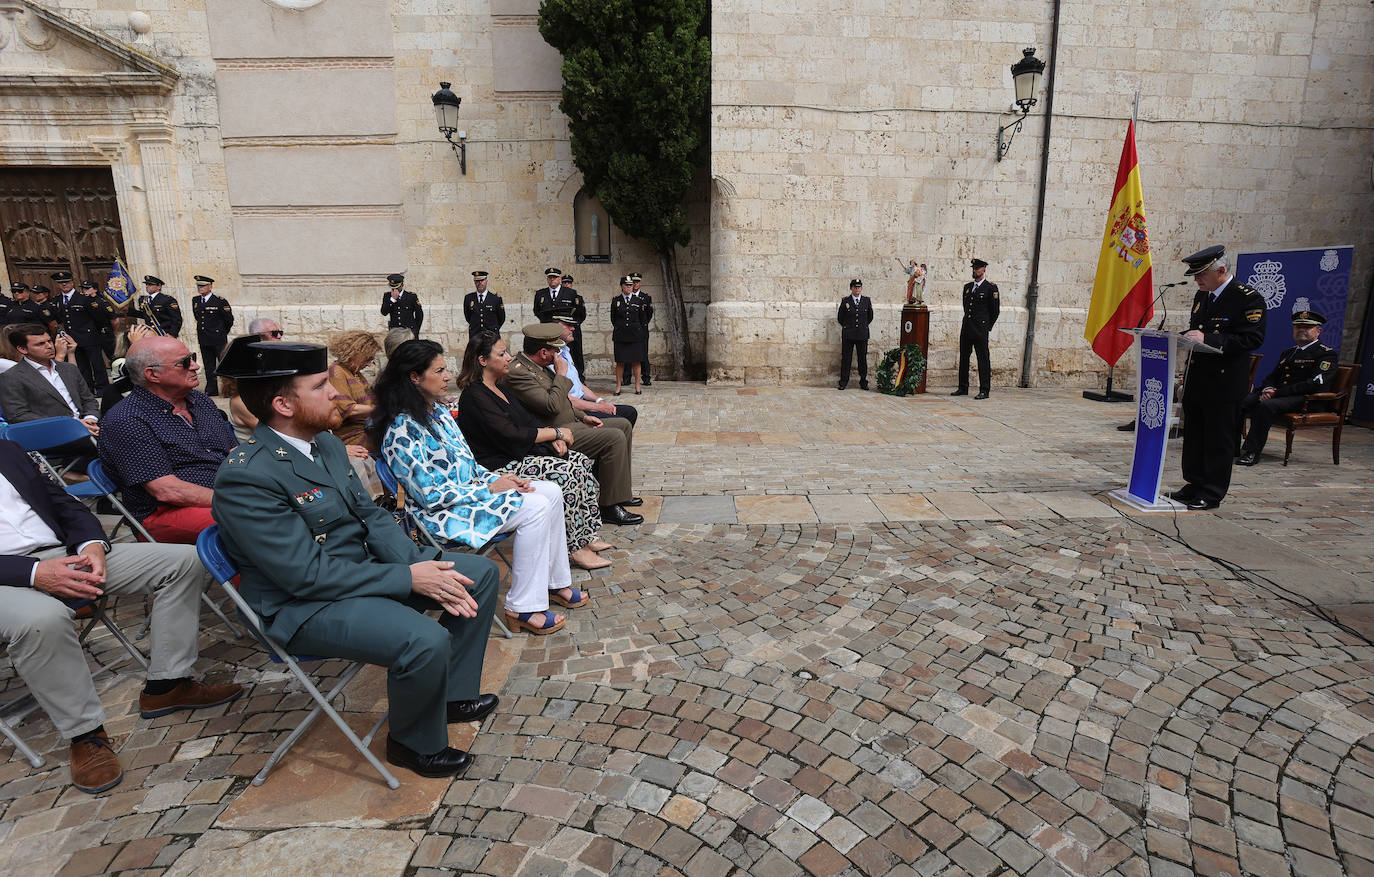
[844, 140]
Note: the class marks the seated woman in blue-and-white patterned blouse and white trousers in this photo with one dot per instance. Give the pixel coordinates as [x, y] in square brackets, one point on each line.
[461, 501]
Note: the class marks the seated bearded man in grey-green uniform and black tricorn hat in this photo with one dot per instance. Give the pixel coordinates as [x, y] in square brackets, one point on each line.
[333, 575]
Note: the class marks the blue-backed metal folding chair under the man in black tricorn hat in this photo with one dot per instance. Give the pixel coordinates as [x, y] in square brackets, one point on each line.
[212, 555]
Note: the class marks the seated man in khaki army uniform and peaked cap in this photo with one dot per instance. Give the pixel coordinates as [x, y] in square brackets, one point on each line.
[607, 441]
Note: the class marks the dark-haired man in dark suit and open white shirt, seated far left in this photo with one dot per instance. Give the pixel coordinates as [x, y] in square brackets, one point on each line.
[41, 387]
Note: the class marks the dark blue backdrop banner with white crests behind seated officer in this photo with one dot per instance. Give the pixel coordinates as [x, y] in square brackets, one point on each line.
[1316, 280]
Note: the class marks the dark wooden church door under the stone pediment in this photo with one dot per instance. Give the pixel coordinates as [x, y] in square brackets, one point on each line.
[54, 219]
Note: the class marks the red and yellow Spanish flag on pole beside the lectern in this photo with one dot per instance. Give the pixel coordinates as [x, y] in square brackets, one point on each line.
[1123, 293]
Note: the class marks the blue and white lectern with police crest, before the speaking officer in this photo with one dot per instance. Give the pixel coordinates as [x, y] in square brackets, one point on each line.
[1155, 358]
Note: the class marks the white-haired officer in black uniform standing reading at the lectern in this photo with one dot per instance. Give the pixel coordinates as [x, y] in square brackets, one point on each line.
[1230, 317]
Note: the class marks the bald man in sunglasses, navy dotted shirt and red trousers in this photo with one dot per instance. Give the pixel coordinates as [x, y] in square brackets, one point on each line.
[166, 441]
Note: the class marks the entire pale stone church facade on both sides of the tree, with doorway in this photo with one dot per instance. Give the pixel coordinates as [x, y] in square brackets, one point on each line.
[289, 149]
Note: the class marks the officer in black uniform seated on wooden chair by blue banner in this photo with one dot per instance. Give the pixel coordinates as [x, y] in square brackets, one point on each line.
[1307, 368]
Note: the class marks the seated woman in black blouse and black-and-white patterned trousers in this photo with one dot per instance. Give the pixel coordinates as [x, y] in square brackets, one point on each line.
[508, 439]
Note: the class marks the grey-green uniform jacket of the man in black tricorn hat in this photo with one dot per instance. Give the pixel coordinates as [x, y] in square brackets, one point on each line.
[306, 537]
